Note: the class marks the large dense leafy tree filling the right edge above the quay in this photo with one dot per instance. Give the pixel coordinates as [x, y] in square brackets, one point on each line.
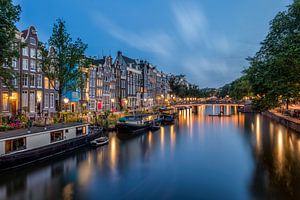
[274, 71]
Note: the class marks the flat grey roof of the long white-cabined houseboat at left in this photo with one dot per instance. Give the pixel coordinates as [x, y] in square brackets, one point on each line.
[35, 129]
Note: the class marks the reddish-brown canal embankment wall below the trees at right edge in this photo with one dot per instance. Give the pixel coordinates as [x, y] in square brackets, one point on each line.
[290, 122]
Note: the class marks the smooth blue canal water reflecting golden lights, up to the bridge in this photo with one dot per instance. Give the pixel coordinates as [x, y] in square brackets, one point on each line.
[245, 156]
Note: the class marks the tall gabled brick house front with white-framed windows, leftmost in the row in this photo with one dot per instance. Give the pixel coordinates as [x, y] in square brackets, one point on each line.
[34, 95]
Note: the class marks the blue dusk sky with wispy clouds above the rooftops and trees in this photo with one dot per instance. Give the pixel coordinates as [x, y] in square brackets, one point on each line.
[206, 40]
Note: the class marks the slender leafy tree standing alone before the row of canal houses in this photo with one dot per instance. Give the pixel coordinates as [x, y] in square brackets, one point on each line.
[63, 60]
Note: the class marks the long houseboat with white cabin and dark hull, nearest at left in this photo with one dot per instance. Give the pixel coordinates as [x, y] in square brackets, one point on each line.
[23, 146]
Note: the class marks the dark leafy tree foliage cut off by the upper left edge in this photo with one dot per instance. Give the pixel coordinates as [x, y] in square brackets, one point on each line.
[9, 15]
